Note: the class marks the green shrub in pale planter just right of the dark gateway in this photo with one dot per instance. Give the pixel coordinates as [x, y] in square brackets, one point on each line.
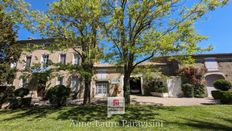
[159, 90]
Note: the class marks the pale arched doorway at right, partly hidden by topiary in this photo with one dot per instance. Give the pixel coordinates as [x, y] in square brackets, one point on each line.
[210, 79]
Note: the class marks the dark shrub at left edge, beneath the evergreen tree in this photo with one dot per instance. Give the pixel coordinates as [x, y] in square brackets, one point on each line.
[6, 93]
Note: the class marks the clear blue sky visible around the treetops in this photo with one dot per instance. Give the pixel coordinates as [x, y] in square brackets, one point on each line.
[216, 25]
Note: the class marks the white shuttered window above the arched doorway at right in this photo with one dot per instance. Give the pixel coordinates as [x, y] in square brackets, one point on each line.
[211, 64]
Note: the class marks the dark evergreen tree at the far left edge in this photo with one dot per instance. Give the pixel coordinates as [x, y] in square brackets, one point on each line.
[8, 50]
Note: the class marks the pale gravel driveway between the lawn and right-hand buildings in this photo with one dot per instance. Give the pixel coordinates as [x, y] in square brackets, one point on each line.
[151, 100]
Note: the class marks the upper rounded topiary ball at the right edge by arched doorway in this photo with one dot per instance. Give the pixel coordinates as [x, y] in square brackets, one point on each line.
[223, 85]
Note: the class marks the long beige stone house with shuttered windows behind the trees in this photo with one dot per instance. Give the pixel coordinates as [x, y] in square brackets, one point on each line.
[108, 78]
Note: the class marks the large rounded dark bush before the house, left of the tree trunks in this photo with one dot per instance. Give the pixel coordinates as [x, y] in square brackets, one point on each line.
[57, 95]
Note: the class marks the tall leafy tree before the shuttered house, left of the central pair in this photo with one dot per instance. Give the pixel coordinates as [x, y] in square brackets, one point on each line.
[71, 24]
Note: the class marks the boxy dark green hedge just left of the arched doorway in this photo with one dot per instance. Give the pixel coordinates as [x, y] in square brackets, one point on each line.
[197, 90]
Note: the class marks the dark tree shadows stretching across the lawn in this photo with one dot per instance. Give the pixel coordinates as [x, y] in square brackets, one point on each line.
[99, 113]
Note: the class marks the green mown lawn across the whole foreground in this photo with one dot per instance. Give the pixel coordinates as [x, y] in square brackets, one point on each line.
[205, 117]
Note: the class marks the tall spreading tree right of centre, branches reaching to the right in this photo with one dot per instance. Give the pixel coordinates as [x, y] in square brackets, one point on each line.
[142, 29]
